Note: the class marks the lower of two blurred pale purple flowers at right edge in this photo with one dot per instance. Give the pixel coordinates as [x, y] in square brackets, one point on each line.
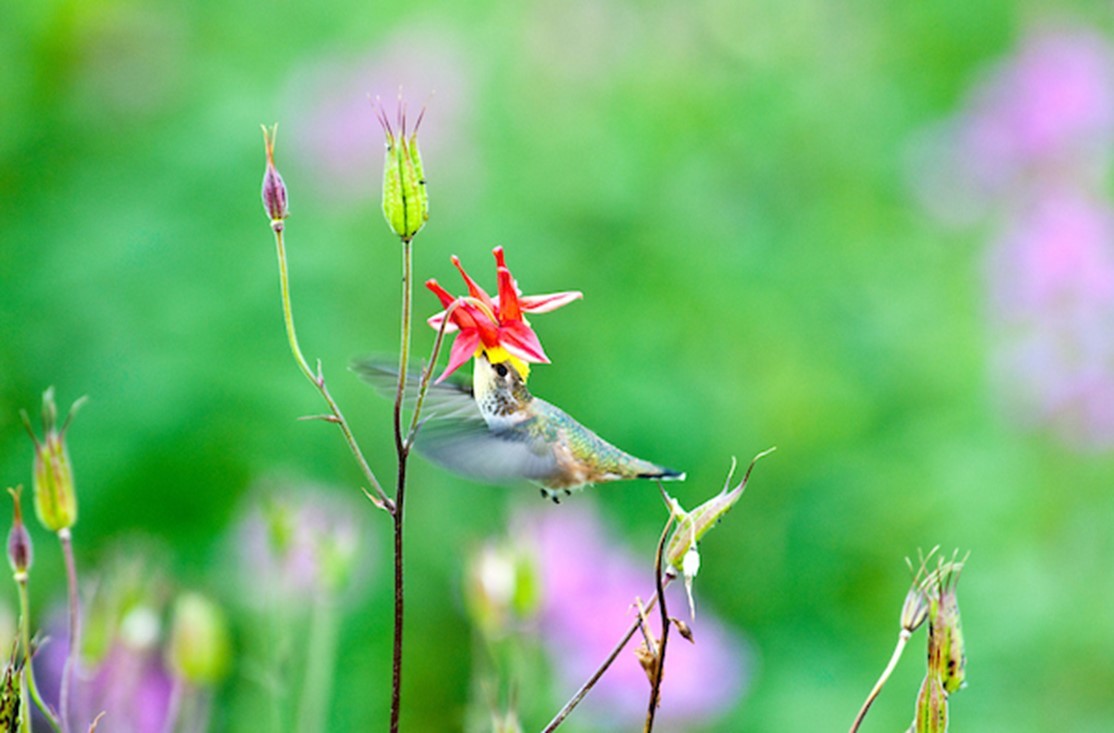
[1052, 286]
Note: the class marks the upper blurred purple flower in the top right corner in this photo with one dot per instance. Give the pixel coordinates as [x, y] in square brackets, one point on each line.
[1045, 112]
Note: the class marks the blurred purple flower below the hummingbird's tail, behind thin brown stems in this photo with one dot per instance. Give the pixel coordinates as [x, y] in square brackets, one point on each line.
[589, 590]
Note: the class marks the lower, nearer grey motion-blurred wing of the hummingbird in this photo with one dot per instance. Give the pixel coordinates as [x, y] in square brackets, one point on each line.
[470, 448]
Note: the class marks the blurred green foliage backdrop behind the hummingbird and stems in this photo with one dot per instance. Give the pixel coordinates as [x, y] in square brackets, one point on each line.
[729, 185]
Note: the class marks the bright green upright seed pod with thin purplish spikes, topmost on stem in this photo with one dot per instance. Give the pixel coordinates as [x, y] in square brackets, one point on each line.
[406, 200]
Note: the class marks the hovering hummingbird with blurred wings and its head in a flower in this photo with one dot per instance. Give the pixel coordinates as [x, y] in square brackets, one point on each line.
[496, 431]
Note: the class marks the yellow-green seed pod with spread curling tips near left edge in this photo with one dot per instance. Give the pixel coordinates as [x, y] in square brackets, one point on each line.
[55, 497]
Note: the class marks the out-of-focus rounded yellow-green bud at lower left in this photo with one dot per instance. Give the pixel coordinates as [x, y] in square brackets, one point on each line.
[200, 649]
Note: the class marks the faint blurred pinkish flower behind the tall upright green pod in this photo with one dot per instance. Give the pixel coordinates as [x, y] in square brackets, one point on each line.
[338, 138]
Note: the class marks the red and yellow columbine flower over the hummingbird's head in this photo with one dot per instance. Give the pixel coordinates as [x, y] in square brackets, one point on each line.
[495, 326]
